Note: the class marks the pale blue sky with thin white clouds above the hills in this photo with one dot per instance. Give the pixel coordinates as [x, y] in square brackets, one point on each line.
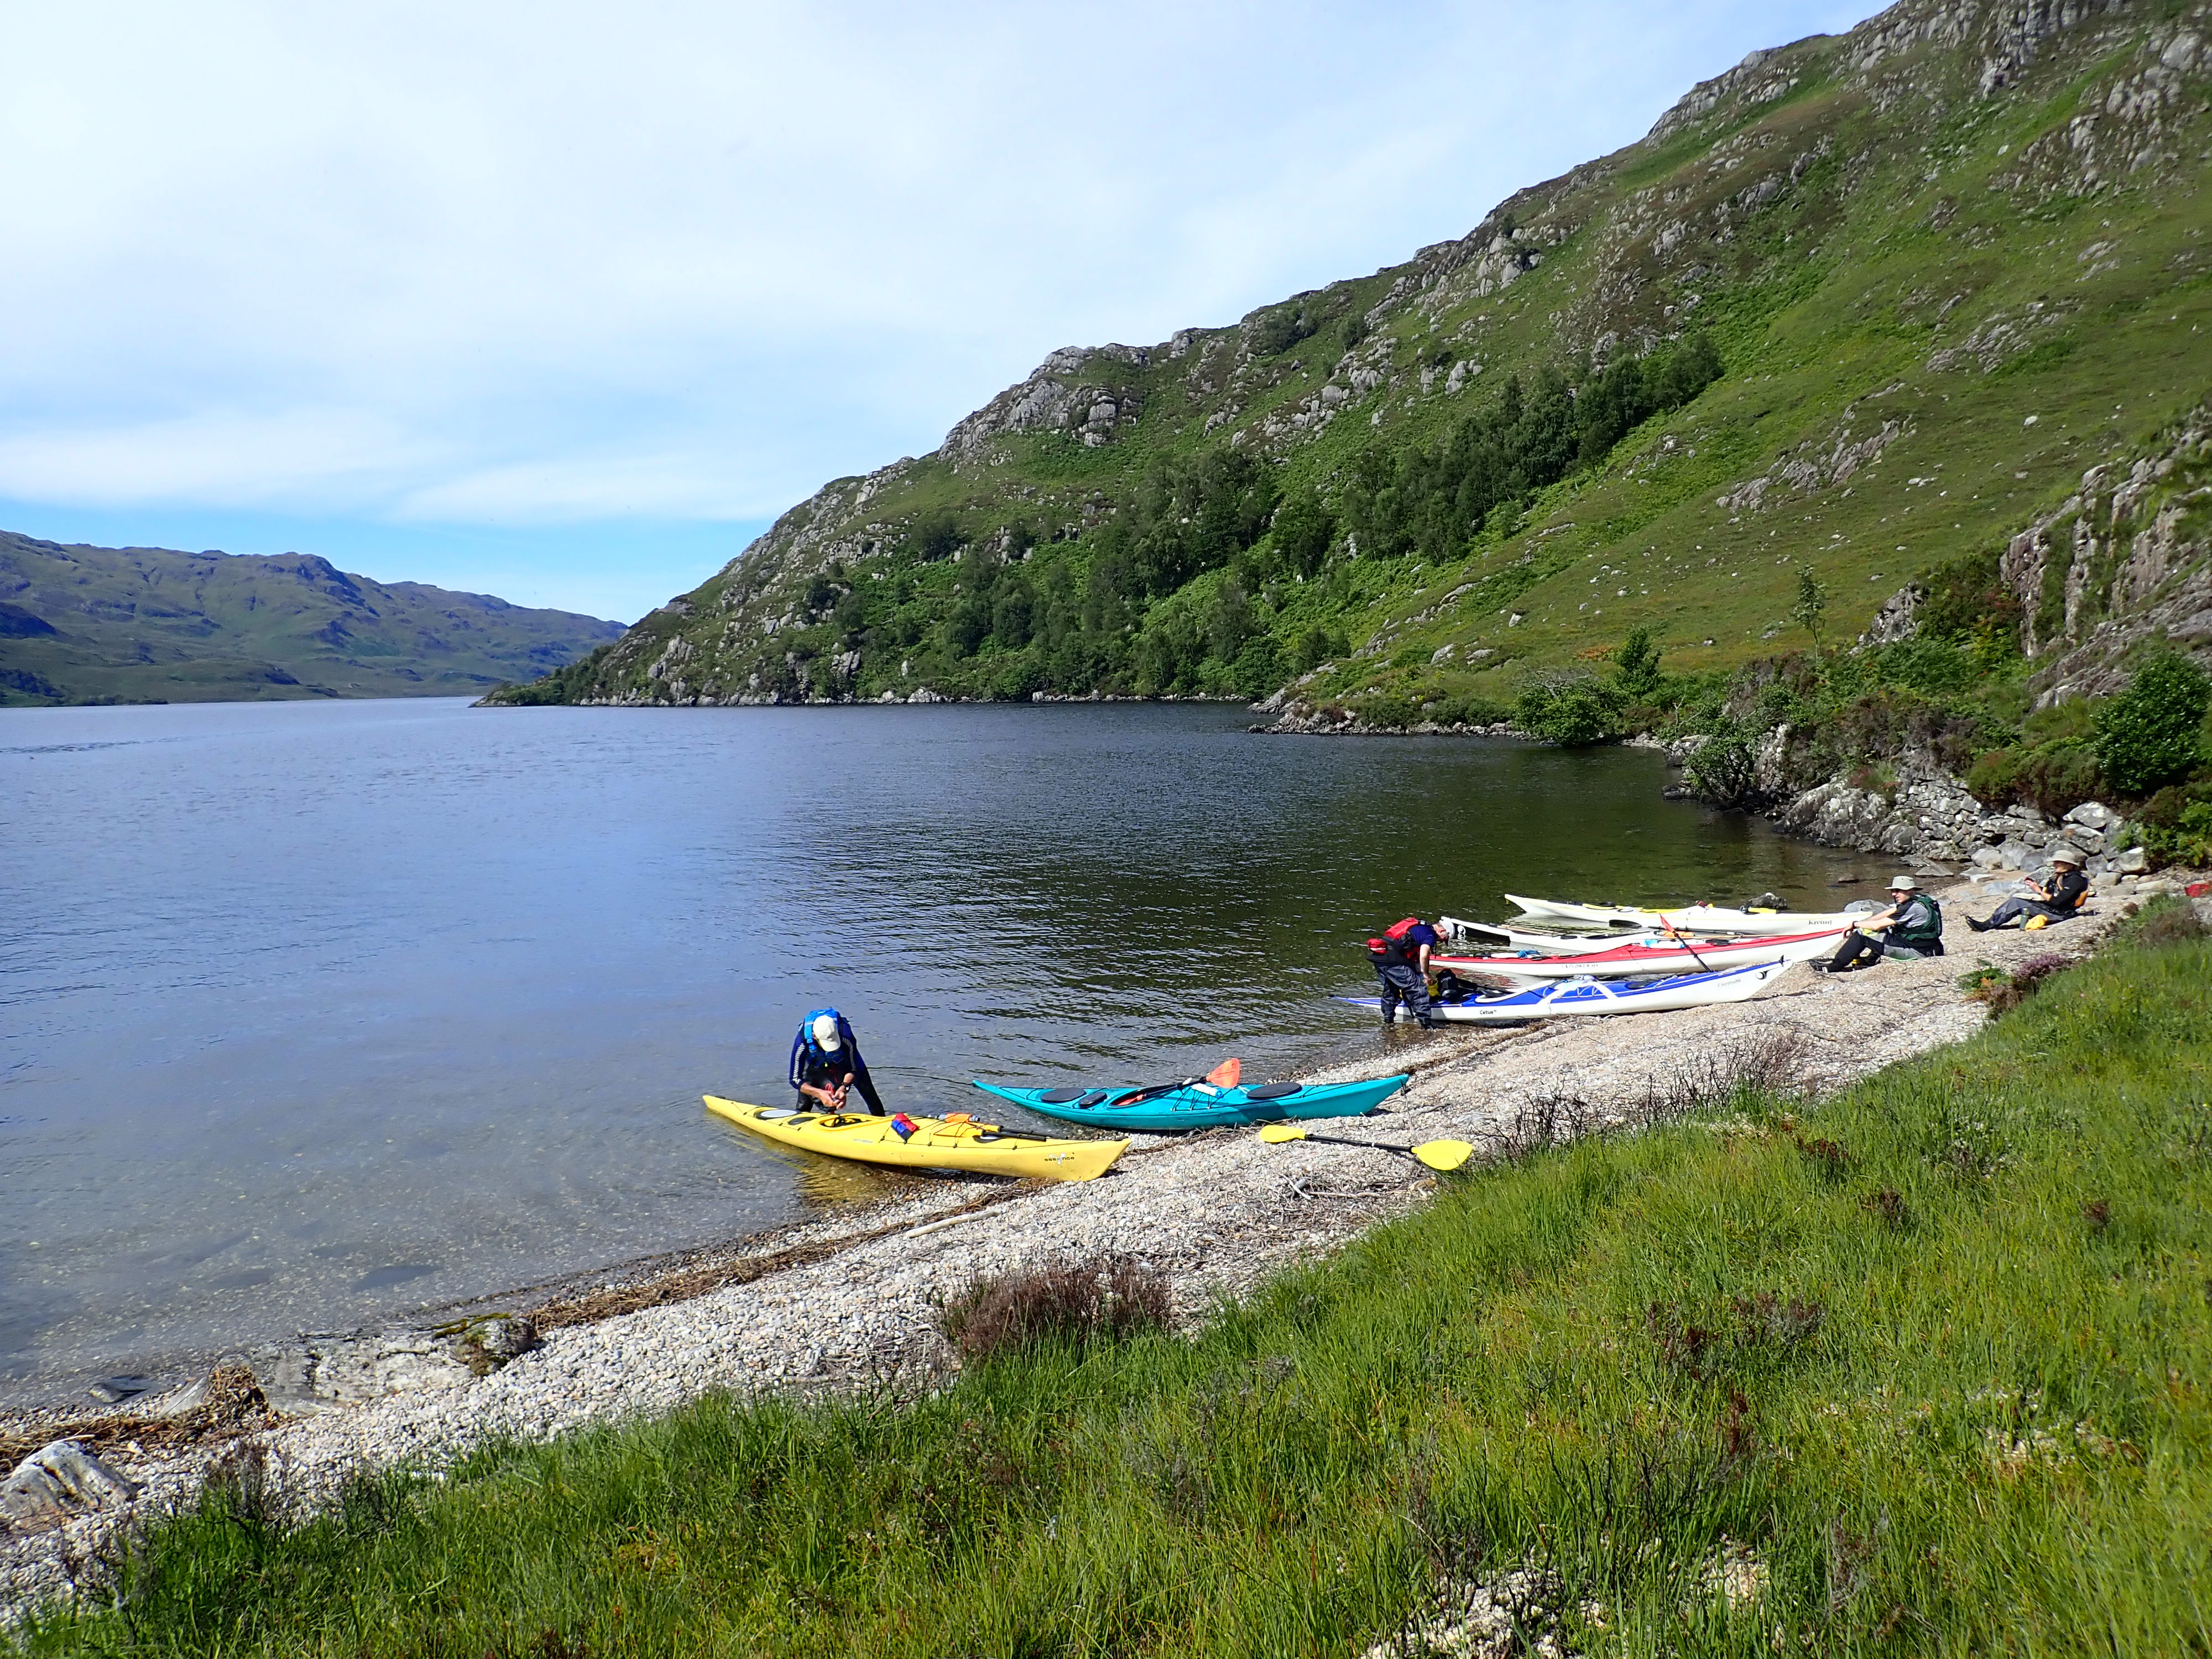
[567, 302]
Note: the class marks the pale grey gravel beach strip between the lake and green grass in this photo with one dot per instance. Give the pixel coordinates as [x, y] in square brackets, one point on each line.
[848, 1302]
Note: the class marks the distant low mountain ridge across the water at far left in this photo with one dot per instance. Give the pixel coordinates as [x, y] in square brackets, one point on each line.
[145, 625]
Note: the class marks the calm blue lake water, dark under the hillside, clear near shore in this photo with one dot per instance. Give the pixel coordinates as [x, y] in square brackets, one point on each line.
[322, 1012]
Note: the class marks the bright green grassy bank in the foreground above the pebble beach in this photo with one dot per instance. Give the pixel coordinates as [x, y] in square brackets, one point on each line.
[1921, 1368]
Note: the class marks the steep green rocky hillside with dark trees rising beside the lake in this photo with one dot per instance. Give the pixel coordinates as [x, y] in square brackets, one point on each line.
[1859, 309]
